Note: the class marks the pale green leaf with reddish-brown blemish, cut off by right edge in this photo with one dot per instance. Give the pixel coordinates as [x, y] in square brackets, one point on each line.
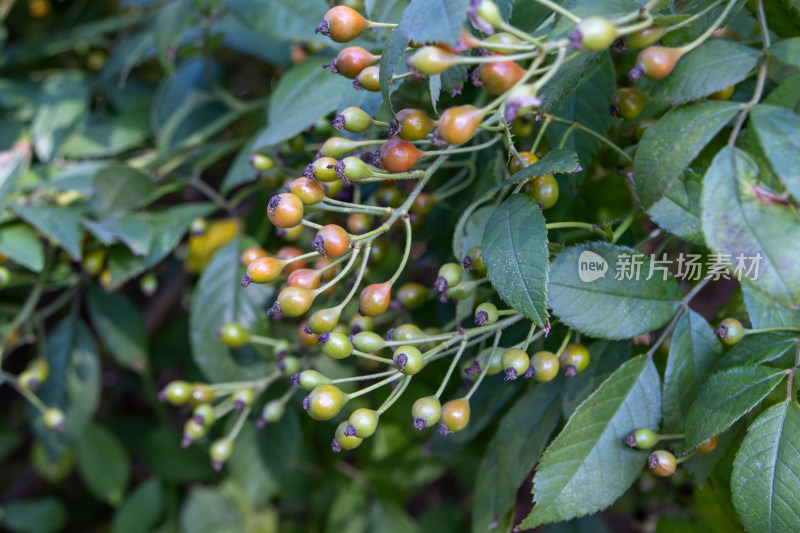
[736, 222]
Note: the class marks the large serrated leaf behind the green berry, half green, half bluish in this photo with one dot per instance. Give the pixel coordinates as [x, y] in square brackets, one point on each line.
[586, 468]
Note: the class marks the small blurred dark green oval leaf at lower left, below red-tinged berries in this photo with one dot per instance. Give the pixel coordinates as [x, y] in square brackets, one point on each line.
[103, 463]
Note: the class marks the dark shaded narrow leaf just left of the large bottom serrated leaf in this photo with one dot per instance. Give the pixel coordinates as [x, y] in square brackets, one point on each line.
[520, 439]
